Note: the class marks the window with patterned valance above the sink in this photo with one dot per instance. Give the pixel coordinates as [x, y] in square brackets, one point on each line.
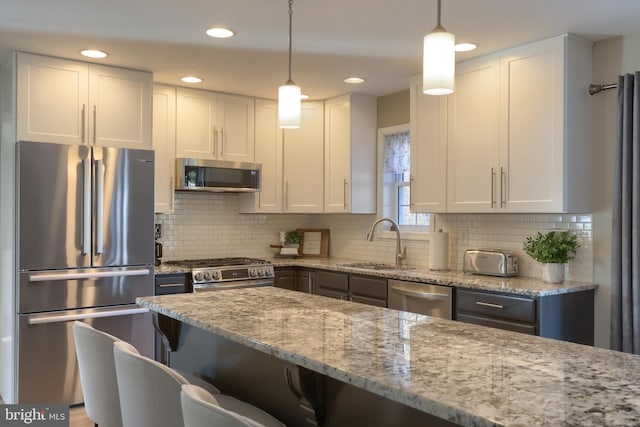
[395, 186]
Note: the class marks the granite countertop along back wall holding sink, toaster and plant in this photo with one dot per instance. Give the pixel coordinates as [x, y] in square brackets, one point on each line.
[525, 286]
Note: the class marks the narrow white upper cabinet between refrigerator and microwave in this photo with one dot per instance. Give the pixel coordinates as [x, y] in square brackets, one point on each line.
[164, 146]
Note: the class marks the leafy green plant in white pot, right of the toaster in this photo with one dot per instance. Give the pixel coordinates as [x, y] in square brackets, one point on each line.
[553, 250]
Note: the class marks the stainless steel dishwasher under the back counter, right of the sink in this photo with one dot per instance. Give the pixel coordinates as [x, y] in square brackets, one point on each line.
[421, 298]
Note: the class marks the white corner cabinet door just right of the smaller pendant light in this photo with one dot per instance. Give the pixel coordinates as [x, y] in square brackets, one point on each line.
[303, 162]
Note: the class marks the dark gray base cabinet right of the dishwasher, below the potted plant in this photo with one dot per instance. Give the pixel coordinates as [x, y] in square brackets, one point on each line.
[567, 317]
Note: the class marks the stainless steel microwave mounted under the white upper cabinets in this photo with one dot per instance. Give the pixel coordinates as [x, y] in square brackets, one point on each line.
[217, 176]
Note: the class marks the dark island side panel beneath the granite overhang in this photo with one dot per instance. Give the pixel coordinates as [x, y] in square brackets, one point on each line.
[260, 379]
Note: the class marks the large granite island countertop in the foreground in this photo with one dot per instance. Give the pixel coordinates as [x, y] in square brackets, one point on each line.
[467, 374]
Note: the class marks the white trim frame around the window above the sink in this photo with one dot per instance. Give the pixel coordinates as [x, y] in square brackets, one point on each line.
[409, 232]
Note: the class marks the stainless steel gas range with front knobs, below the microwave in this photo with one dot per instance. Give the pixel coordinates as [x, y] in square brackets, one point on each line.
[225, 273]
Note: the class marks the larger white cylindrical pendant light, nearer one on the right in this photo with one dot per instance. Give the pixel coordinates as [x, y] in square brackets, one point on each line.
[439, 60]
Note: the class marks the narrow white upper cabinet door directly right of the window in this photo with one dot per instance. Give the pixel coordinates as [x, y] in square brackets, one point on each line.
[428, 150]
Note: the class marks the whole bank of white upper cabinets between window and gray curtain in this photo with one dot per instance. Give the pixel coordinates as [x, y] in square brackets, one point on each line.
[518, 135]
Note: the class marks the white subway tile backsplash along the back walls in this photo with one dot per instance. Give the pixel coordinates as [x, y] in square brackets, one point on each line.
[209, 225]
